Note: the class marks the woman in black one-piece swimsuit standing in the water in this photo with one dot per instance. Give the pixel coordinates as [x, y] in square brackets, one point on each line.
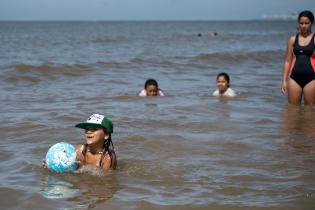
[299, 65]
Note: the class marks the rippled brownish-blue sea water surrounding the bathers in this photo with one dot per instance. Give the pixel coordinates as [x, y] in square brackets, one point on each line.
[187, 150]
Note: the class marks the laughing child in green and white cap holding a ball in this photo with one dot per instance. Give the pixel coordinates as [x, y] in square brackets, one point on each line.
[96, 151]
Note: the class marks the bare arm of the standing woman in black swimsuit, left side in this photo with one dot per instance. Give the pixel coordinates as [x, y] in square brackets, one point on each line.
[287, 64]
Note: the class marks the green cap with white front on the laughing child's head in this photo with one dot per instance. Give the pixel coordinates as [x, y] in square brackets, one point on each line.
[97, 121]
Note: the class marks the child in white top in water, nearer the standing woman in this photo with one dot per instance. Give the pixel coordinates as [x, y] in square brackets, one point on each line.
[223, 84]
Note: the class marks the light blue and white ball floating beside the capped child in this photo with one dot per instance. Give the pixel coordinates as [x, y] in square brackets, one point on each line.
[61, 157]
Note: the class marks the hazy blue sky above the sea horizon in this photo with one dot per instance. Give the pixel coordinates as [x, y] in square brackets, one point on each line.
[149, 9]
